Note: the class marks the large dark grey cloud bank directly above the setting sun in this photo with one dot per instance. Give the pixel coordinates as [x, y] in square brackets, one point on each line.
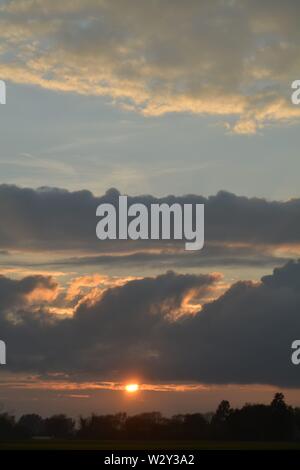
[244, 336]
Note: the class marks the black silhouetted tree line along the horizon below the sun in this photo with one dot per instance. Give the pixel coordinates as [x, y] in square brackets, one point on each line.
[256, 422]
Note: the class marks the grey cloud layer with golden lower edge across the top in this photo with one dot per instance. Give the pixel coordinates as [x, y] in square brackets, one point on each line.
[234, 59]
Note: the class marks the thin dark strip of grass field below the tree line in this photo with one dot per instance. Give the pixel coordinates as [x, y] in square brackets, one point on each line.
[146, 445]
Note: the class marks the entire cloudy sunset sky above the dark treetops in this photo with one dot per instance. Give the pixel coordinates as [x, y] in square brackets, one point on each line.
[165, 101]
